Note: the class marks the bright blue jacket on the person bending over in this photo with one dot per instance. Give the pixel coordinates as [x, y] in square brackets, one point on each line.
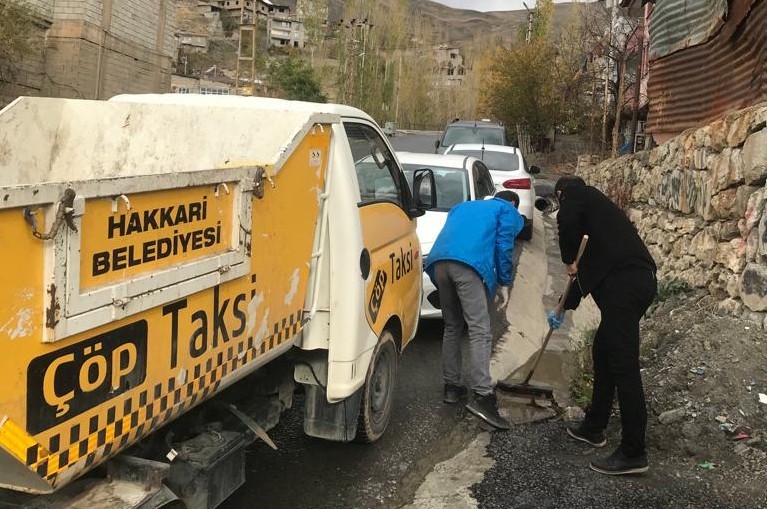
[480, 234]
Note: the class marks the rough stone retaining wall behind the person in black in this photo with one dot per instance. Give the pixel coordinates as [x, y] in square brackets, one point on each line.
[699, 203]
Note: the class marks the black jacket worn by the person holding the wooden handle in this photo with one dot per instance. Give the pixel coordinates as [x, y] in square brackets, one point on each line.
[613, 240]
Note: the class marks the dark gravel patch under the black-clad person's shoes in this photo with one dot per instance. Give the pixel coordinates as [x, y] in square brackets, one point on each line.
[538, 466]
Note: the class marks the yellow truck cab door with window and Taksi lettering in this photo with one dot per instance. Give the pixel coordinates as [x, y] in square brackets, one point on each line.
[393, 284]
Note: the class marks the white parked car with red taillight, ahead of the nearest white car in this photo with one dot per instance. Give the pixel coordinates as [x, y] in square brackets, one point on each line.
[509, 171]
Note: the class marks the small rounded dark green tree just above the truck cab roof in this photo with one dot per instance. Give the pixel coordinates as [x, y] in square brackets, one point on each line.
[291, 78]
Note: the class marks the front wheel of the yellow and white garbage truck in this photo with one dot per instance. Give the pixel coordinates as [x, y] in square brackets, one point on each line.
[378, 392]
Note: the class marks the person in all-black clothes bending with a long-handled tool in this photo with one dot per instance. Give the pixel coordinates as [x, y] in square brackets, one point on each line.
[618, 271]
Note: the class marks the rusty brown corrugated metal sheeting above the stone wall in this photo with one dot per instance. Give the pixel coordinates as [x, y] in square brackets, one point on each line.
[726, 72]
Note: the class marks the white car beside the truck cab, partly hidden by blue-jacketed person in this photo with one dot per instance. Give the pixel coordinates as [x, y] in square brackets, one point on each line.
[458, 179]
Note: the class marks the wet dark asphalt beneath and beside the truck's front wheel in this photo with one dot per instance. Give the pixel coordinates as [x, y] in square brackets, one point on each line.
[310, 473]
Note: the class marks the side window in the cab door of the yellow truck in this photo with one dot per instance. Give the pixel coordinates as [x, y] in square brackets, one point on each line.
[377, 171]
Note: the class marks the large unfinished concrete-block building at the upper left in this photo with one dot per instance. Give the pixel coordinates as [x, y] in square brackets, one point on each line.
[94, 49]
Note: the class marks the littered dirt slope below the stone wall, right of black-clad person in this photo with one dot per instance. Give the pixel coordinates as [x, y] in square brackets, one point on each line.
[703, 374]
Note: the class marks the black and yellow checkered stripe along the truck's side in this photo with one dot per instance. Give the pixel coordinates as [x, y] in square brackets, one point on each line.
[137, 417]
